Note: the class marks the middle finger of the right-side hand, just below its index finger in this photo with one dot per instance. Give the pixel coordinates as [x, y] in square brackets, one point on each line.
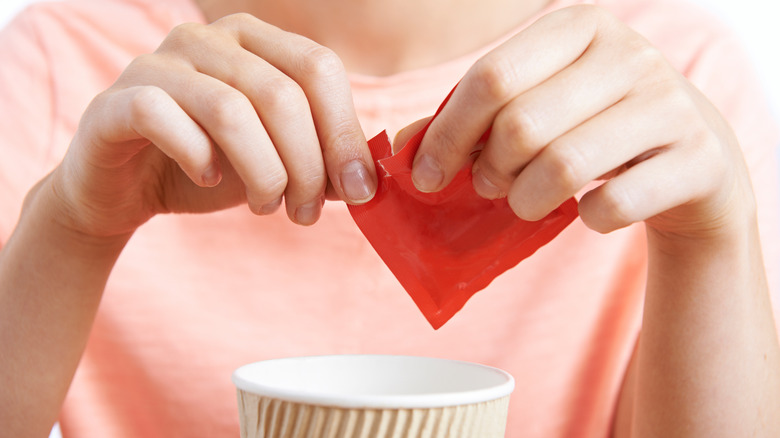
[535, 118]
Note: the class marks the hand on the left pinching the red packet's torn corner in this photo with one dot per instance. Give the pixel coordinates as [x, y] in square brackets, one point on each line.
[231, 112]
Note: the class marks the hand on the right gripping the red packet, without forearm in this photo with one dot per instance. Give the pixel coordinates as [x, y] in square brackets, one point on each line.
[579, 97]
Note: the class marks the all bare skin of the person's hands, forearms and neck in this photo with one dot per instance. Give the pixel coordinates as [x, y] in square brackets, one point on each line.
[576, 97]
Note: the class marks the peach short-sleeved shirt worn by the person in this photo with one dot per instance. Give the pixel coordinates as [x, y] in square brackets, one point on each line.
[195, 296]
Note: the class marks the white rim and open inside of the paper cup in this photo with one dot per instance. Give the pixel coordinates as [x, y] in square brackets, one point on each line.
[374, 381]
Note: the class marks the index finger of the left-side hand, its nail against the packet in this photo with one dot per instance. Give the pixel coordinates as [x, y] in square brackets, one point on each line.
[322, 76]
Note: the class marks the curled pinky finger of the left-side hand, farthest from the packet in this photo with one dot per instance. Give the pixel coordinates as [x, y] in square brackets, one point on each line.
[152, 114]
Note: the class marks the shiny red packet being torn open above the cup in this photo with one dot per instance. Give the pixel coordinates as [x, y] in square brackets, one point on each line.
[446, 246]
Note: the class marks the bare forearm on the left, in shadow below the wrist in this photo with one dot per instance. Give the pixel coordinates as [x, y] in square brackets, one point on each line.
[51, 281]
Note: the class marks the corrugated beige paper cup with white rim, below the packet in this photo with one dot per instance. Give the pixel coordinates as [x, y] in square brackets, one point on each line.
[362, 396]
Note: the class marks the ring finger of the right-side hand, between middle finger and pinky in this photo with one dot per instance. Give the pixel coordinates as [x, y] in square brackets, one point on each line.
[607, 142]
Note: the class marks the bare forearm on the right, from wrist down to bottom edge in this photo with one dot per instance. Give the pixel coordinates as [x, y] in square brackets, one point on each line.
[707, 362]
